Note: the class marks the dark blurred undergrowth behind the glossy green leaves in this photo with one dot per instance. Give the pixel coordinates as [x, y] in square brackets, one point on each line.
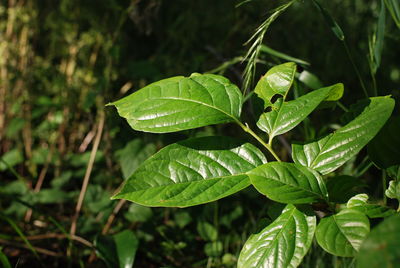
[62, 61]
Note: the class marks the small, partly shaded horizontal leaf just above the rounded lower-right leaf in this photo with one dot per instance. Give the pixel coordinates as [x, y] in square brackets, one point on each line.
[360, 203]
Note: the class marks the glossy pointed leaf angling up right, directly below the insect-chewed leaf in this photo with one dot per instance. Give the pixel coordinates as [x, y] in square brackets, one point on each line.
[288, 115]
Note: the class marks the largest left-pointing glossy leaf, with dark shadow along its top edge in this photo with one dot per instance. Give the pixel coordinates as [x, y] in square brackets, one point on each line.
[192, 172]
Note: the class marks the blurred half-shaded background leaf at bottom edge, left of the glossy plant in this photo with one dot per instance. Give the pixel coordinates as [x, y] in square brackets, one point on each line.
[118, 250]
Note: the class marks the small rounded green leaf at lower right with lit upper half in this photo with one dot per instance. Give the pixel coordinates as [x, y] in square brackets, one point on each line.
[342, 234]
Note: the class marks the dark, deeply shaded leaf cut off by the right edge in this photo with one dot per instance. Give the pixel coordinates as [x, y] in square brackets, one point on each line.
[384, 149]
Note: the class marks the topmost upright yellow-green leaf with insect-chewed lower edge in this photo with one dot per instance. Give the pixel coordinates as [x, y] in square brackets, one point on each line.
[277, 80]
